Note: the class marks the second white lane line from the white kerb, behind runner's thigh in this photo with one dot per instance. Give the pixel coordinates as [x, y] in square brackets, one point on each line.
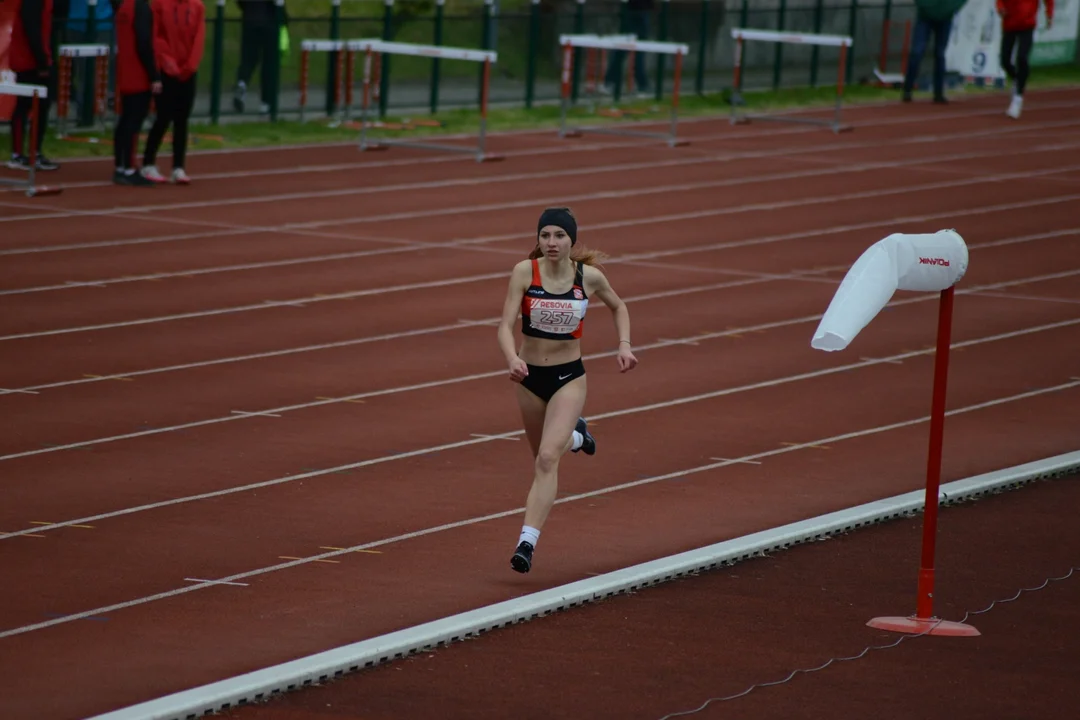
[490, 438]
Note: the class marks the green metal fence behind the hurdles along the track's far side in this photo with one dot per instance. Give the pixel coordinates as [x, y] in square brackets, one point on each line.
[525, 34]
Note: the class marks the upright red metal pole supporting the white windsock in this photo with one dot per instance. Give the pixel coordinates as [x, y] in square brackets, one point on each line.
[925, 599]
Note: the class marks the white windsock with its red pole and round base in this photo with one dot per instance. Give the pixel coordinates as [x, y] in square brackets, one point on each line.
[928, 263]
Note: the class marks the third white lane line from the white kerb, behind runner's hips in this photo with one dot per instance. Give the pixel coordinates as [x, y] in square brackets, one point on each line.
[695, 338]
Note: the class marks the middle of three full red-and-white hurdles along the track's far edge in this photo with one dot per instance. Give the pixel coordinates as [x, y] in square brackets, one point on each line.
[607, 44]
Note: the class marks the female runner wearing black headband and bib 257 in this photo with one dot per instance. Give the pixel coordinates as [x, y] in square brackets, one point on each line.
[551, 290]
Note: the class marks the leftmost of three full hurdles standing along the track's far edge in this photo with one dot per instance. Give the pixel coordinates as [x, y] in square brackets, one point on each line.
[373, 51]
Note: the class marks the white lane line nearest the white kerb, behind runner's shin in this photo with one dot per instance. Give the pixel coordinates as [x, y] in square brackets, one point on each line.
[518, 511]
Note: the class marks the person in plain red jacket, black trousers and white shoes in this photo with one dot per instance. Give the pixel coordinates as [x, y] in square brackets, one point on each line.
[180, 29]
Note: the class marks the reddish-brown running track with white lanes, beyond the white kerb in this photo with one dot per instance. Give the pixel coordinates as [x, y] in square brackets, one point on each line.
[227, 382]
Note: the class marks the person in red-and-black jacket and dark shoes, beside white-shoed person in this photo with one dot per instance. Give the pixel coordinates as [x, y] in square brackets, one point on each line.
[138, 81]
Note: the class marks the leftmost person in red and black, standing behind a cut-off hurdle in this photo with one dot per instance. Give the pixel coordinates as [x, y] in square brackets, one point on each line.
[31, 58]
